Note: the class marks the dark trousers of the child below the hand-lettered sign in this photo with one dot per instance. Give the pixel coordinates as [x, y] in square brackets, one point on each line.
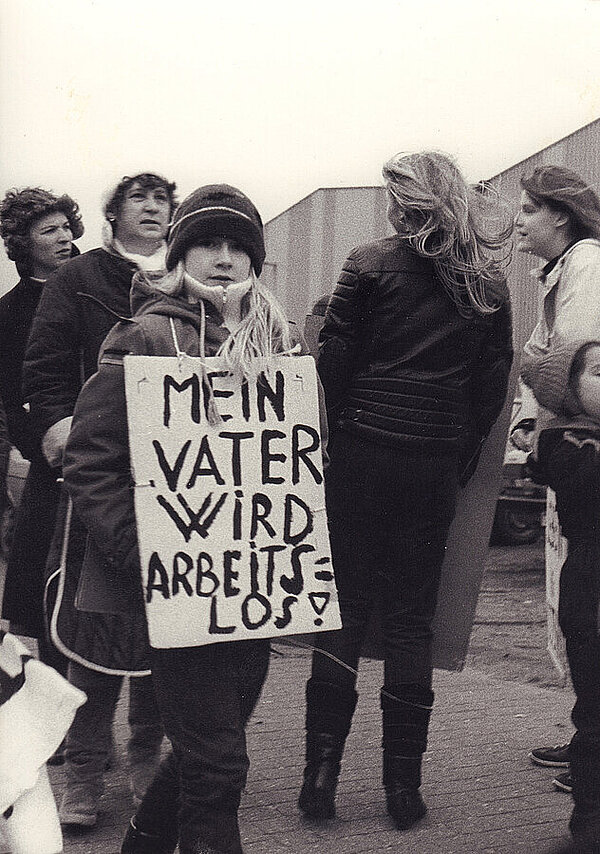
[206, 695]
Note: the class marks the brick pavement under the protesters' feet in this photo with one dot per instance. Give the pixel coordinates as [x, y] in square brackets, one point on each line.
[483, 793]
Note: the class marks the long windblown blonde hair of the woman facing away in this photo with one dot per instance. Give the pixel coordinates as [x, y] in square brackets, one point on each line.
[462, 229]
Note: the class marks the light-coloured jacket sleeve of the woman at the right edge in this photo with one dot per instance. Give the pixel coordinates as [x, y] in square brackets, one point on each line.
[576, 316]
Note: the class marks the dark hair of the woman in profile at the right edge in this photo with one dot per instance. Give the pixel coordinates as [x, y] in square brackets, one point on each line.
[566, 191]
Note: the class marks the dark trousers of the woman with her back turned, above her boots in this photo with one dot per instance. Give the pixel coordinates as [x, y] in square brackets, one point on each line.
[389, 512]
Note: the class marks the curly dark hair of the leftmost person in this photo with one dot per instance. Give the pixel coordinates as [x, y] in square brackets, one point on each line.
[20, 209]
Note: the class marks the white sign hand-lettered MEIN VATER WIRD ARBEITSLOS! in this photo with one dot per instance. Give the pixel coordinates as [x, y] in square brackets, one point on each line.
[231, 517]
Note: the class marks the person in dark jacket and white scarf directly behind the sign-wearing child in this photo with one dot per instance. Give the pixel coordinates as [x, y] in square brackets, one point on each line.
[79, 305]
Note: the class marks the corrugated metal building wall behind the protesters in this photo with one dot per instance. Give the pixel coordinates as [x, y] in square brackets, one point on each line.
[307, 244]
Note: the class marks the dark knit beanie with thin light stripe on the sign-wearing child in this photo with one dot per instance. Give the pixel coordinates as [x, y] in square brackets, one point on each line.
[216, 210]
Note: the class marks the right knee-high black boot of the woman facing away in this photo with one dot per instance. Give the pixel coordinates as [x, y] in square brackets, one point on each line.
[406, 711]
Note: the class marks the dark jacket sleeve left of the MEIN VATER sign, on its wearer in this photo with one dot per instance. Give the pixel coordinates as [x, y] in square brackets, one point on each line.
[96, 464]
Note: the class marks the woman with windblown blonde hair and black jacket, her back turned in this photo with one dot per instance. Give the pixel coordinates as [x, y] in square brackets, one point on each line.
[414, 357]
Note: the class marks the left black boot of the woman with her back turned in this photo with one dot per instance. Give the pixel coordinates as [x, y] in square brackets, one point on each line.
[329, 710]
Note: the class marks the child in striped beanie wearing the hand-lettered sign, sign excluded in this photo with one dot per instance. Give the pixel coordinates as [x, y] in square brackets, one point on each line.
[211, 302]
